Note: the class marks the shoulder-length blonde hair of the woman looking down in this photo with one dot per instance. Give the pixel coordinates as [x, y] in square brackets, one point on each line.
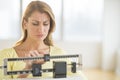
[43, 8]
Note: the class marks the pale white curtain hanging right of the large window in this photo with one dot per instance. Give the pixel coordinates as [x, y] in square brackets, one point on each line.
[111, 33]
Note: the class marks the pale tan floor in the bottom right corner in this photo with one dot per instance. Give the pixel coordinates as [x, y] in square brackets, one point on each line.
[97, 74]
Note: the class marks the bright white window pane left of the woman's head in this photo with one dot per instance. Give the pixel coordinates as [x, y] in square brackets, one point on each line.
[9, 19]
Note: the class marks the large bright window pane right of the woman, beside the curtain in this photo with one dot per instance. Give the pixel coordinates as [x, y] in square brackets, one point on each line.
[82, 19]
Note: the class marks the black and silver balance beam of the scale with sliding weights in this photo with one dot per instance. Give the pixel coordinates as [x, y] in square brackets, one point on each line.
[37, 68]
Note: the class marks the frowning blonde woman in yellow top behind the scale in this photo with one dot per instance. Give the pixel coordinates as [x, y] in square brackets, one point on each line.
[38, 24]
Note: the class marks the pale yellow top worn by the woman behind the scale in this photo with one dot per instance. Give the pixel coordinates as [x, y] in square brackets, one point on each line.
[19, 65]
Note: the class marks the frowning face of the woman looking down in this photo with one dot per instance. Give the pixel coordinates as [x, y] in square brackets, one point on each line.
[38, 26]
